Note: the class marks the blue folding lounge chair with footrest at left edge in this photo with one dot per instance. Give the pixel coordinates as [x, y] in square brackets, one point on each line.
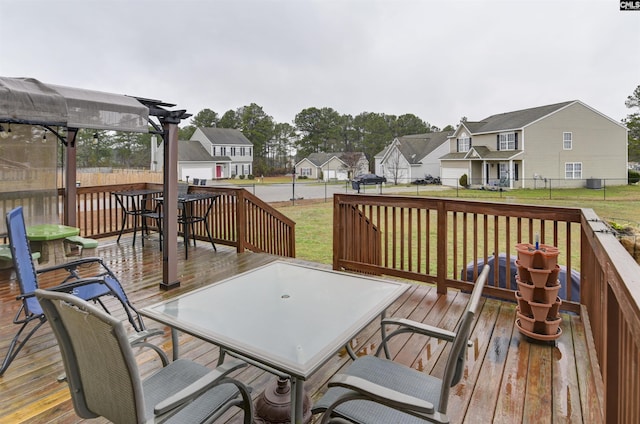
[90, 289]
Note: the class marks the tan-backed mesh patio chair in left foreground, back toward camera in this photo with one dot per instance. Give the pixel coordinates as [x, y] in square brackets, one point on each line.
[104, 378]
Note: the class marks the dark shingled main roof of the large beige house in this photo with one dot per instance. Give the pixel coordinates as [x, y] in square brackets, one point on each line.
[513, 120]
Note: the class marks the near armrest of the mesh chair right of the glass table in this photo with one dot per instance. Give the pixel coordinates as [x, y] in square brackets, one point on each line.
[380, 394]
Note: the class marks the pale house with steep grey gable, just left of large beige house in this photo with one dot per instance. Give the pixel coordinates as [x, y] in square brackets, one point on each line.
[411, 157]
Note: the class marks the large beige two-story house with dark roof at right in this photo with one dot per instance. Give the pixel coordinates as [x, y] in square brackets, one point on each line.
[566, 144]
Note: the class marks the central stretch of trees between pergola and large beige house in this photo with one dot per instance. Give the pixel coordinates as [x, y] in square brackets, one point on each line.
[313, 130]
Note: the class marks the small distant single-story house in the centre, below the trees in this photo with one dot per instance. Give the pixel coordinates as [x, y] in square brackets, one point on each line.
[333, 166]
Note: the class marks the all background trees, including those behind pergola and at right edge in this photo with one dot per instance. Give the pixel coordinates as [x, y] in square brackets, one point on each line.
[313, 130]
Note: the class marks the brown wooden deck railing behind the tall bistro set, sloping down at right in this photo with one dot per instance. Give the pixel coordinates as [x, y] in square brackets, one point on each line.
[238, 218]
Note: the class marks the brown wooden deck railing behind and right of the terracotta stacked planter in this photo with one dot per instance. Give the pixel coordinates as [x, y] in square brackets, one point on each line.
[434, 240]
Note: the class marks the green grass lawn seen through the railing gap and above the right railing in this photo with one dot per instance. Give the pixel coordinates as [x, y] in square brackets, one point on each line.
[314, 221]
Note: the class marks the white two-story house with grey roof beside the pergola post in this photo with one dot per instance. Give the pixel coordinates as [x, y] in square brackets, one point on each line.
[214, 153]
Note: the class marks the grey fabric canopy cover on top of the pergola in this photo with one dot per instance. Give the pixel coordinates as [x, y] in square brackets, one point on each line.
[26, 100]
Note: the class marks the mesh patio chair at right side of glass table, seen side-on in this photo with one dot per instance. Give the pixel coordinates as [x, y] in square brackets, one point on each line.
[376, 390]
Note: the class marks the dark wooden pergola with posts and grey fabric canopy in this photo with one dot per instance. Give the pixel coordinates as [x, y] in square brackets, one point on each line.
[28, 101]
